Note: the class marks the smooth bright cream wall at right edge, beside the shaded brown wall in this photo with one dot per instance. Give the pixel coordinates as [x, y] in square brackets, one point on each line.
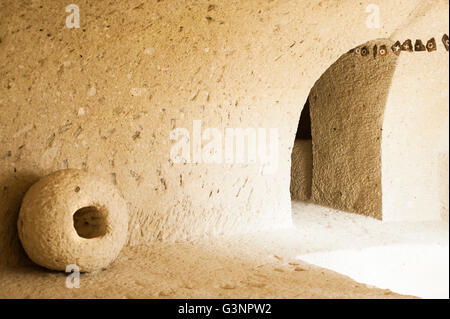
[415, 130]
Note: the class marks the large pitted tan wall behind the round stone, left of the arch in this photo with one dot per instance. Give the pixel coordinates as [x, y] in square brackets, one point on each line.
[105, 97]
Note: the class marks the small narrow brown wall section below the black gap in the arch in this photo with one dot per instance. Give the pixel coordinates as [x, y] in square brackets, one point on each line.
[301, 170]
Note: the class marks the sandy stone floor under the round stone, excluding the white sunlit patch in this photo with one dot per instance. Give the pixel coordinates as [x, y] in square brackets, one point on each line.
[259, 265]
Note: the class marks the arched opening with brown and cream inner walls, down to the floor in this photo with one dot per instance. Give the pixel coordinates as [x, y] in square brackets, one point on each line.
[357, 148]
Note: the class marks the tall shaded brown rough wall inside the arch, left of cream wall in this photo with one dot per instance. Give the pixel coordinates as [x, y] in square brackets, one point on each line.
[347, 106]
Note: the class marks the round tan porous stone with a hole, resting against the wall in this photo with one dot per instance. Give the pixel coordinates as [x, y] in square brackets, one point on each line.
[46, 221]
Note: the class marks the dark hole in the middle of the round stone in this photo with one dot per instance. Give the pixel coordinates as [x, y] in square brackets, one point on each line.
[89, 222]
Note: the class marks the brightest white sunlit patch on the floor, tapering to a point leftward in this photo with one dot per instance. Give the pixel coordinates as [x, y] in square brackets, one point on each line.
[418, 270]
